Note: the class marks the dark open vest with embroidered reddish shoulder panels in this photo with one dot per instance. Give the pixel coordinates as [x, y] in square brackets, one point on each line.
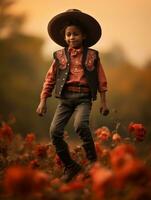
[89, 63]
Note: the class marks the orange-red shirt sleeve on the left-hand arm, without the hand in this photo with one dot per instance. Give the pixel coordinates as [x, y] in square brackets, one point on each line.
[49, 82]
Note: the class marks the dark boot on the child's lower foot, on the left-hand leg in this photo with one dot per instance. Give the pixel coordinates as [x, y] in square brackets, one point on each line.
[71, 167]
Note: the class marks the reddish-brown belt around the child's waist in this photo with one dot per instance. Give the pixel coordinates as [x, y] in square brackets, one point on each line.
[79, 89]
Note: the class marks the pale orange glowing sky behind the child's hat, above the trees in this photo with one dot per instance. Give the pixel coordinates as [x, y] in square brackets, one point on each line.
[124, 22]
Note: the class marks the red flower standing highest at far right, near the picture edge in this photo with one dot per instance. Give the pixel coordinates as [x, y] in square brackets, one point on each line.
[138, 130]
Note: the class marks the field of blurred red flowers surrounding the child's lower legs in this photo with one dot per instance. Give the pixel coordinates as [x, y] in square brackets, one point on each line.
[31, 170]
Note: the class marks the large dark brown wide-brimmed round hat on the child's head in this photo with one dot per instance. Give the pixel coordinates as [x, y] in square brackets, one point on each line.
[91, 26]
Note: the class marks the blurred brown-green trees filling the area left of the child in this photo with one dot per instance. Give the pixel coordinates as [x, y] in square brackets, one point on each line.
[21, 71]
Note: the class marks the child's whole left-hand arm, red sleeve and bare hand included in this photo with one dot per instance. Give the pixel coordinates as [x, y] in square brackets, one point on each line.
[47, 89]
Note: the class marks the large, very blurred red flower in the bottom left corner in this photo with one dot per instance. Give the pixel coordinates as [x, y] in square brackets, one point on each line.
[20, 180]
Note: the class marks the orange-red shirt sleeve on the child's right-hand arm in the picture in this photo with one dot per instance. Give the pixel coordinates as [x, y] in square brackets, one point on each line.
[101, 78]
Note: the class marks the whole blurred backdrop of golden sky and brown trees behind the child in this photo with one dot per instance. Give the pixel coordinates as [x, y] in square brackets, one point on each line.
[26, 55]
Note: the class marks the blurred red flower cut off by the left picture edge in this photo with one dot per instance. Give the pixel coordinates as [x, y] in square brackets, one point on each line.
[6, 133]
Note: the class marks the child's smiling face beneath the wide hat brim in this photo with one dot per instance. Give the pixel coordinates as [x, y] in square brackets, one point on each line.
[74, 36]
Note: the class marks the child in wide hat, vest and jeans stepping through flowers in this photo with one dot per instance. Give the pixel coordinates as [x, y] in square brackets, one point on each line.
[77, 74]
